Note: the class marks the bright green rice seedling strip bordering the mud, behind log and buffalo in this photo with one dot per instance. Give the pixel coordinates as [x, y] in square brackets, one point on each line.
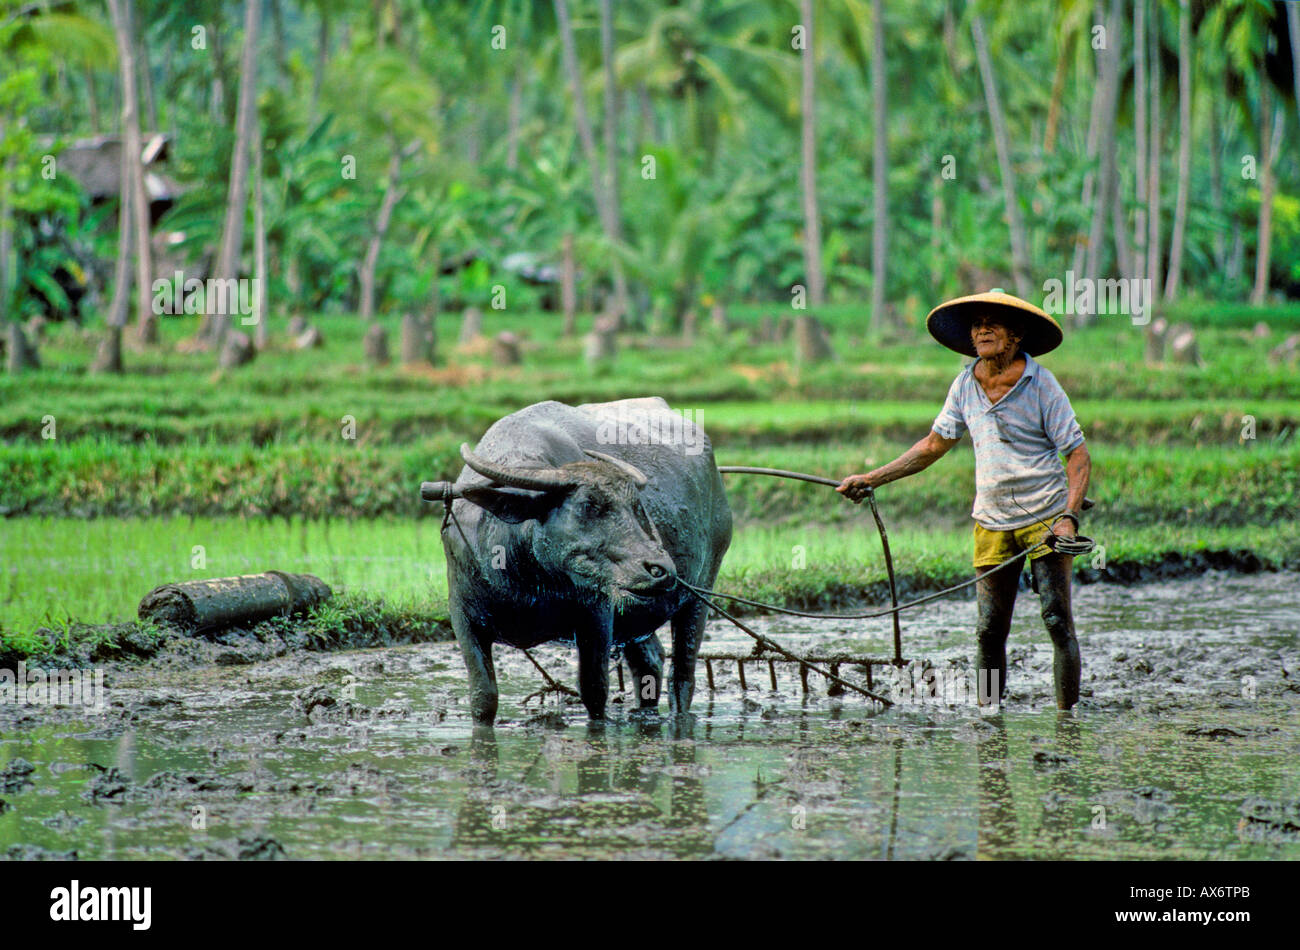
[60, 572]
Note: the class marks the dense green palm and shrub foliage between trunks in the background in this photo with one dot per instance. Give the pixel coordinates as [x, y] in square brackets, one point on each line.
[708, 142]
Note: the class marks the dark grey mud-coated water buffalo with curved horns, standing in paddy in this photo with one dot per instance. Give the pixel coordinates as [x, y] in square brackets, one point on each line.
[577, 523]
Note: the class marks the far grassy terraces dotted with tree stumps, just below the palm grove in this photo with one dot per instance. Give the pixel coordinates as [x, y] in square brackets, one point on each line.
[176, 398]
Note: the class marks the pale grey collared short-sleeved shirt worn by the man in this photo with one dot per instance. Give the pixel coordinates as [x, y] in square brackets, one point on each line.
[1019, 443]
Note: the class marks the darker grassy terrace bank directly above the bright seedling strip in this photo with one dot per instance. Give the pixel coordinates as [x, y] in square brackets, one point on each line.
[1234, 483]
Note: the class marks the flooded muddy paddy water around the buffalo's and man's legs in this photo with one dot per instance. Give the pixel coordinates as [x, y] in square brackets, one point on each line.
[1188, 744]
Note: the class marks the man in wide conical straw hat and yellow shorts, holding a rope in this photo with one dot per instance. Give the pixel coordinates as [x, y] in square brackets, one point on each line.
[1020, 420]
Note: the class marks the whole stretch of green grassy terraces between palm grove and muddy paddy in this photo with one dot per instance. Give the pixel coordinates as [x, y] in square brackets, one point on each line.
[254, 465]
